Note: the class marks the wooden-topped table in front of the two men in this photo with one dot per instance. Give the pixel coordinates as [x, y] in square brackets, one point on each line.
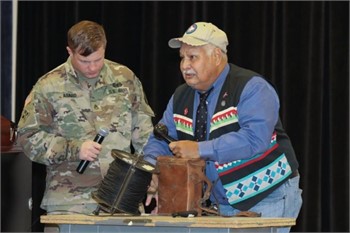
[168, 224]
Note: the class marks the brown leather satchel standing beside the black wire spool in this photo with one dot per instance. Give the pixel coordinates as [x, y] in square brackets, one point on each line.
[181, 183]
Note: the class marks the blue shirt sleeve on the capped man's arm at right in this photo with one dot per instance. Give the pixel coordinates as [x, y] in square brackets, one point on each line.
[258, 111]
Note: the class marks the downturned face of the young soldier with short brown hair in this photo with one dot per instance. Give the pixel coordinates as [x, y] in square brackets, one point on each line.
[89, 66]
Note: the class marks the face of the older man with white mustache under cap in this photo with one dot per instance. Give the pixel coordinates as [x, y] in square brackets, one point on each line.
[199, 69]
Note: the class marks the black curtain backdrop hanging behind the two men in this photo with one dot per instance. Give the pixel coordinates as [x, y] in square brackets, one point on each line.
[302, 47]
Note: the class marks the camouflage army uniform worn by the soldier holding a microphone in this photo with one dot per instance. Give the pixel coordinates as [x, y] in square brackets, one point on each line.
[62, 111]
